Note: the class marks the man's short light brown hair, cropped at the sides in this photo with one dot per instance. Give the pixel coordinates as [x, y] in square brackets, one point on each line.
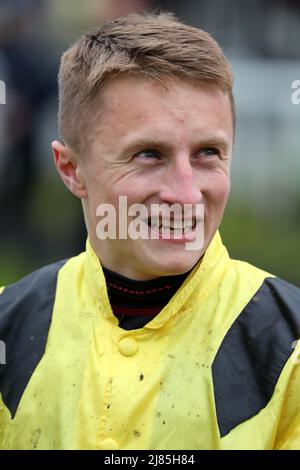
[155, 46]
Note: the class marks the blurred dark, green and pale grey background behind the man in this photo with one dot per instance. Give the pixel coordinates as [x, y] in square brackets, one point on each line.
[41, 222]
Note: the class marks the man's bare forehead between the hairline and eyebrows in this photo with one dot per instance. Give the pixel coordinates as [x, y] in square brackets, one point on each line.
[134, 105]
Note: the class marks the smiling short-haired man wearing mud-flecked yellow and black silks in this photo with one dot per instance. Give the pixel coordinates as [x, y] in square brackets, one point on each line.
[156, 341]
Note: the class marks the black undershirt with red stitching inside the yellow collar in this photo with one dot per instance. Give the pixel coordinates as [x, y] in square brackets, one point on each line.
[135, 303]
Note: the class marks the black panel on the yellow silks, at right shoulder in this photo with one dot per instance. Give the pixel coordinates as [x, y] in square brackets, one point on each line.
[254, 352]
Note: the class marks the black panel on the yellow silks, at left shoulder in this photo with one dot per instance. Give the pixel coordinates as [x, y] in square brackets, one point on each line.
[25, 316]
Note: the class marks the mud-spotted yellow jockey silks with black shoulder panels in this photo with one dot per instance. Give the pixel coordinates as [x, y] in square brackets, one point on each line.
[215, 369]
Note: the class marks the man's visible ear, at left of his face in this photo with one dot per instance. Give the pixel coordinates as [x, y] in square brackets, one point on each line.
[69, 169]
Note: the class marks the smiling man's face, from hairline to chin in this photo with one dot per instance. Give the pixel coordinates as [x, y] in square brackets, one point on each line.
[156, 145]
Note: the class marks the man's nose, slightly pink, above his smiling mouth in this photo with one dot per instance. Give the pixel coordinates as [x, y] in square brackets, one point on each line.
[181, 185]
